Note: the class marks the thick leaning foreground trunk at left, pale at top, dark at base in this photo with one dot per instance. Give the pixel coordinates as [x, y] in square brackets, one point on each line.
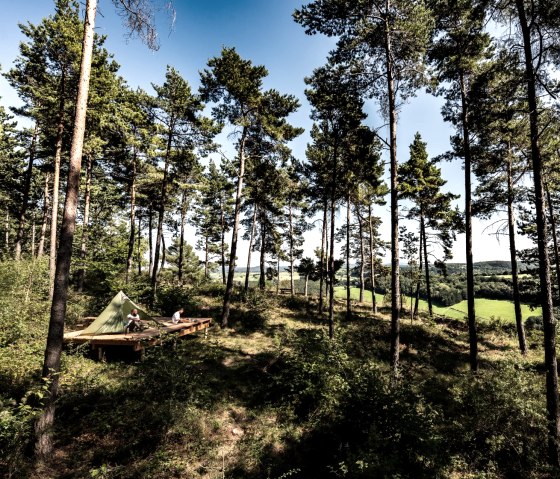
[51, 366]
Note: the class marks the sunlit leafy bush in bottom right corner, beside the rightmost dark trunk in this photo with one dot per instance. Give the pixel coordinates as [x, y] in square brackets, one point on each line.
[497, 421]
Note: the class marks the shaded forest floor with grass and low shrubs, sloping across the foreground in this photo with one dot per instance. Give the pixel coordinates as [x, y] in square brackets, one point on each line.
[273, 397]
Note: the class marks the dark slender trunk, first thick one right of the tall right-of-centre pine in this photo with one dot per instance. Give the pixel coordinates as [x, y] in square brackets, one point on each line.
[473, 341]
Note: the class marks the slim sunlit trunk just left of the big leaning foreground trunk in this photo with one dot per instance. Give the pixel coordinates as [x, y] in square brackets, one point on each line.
[56, 184]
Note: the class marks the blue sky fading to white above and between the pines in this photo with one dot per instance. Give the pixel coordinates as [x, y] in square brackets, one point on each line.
[262, 31]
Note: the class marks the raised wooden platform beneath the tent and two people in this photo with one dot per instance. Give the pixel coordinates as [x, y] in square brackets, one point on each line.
[138, 341]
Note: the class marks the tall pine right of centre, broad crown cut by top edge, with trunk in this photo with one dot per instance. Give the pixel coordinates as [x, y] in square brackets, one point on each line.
[382, 44]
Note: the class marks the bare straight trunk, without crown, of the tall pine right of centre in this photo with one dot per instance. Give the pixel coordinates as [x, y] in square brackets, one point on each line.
[395, 267]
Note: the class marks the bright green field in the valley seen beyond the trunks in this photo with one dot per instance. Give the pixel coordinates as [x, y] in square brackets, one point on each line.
[486, 309]
